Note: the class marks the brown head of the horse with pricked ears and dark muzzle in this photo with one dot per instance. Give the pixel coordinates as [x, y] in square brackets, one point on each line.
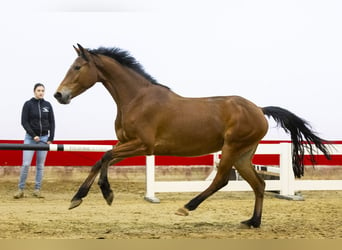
[81, 76]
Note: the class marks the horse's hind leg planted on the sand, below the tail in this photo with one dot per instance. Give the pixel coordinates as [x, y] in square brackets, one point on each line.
[246, 169]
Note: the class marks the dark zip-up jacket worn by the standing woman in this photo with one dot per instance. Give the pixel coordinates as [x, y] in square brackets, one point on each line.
[38, 119]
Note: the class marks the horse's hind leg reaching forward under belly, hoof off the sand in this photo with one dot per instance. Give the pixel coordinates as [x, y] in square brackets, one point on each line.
[221, 179]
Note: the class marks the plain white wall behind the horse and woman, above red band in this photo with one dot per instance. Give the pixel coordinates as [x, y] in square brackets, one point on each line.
[283, 53]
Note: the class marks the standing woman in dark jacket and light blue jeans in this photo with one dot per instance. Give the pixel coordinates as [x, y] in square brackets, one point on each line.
[38, 120]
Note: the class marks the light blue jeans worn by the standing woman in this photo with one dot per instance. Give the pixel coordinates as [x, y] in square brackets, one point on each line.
[27, 159]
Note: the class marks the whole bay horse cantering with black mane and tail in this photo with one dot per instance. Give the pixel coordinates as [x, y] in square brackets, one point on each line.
[153, 120]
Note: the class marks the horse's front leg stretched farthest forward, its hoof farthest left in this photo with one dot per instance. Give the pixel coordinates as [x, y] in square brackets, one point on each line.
[85, 187]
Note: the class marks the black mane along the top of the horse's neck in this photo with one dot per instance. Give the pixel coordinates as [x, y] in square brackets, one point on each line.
[126, 59]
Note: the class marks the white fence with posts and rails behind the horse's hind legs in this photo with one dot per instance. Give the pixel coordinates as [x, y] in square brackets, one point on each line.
[287, 184]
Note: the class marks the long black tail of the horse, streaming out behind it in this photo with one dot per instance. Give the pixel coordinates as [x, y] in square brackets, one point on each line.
[302, 137]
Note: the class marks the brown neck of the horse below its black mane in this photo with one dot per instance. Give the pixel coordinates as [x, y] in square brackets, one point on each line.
[121, 82]
